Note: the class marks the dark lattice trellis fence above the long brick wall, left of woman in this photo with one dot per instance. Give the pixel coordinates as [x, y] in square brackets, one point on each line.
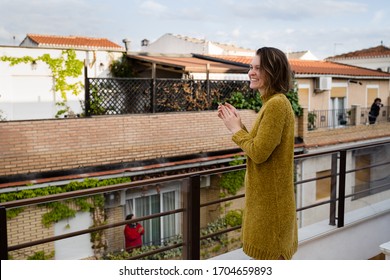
[109, 96]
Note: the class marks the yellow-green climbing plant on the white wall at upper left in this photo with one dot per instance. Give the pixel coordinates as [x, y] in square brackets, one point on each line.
[63, 69]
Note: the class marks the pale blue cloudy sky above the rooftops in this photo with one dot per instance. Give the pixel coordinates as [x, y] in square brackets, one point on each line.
[324, 27]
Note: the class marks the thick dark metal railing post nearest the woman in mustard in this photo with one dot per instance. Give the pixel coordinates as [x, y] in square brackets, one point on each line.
[191, 250]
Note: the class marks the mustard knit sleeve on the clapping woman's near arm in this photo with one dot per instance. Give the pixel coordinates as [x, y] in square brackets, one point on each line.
[269, 133]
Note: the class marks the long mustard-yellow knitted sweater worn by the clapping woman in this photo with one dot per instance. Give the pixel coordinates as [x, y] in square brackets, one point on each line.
[269, 222]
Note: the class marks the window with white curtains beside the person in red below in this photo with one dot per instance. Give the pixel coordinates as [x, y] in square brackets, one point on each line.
[156, 200]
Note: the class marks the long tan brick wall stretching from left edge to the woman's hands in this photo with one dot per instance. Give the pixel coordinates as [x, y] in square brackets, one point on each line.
[60, 144]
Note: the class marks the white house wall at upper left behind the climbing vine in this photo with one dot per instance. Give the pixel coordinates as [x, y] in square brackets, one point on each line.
[26, 93]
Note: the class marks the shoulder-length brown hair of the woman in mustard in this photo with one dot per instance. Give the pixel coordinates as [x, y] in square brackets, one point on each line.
[276, 71]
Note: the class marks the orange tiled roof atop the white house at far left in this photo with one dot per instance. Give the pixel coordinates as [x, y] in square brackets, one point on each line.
[73, 42]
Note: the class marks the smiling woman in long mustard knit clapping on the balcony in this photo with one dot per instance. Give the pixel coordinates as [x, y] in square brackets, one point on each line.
[269, 224]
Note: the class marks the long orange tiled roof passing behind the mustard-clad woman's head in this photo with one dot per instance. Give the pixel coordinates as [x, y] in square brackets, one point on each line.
[311, 67]
